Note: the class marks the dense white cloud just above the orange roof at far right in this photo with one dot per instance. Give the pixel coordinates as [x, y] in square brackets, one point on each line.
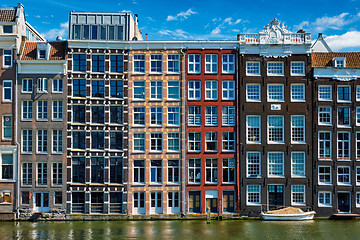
[347, 40]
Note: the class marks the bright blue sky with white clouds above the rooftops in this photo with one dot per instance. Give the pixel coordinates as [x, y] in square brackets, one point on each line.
[209, 20]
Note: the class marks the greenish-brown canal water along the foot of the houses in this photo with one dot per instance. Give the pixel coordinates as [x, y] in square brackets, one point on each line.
[196, 229]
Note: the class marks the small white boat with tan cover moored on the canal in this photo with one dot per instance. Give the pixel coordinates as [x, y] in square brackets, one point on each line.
[288, 214]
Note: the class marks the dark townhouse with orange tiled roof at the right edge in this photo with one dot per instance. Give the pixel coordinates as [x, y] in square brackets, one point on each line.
[336, 133]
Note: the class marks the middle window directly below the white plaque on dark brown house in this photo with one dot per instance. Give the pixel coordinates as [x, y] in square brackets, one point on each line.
[275, 129]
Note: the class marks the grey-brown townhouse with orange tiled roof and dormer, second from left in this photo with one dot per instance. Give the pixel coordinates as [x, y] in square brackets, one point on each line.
[41, 128]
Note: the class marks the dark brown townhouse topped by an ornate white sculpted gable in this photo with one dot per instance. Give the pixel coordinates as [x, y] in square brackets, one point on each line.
[275, 119]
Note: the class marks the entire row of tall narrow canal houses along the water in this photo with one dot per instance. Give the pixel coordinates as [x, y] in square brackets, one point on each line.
[108, 124]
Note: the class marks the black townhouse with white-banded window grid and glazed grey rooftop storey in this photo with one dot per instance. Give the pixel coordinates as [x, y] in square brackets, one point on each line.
[97, 112]
